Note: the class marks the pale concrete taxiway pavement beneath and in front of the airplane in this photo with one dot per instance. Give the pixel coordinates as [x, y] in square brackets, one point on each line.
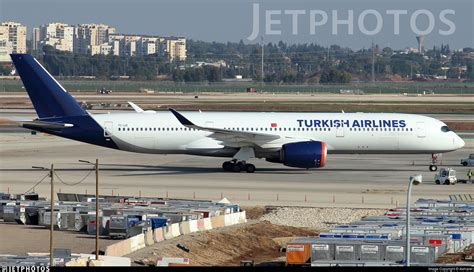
[347, 181]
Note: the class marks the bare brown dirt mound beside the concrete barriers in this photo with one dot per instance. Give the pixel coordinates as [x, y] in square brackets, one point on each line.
[257, 240]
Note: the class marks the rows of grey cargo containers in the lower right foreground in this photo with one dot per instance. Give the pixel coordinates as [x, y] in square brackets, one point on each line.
[437, 227]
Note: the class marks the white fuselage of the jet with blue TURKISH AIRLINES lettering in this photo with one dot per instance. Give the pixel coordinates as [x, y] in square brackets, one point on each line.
[362, 133]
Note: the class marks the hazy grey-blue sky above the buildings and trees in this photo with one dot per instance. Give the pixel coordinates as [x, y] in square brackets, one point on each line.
[291, 21]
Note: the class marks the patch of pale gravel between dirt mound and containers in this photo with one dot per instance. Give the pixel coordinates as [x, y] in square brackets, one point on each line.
[317, 218]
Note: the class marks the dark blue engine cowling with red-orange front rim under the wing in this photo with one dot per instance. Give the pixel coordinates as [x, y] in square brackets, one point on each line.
[310, 154]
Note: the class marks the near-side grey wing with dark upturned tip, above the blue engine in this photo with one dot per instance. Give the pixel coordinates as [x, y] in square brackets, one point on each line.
[232, 137]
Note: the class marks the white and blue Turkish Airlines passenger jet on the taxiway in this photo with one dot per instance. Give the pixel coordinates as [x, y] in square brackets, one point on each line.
[294, 139]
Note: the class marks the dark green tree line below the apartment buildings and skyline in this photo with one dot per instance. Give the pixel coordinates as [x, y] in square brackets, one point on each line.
[283, 63]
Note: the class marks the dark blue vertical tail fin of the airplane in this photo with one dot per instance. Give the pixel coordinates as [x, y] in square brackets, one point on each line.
[49, 98]
